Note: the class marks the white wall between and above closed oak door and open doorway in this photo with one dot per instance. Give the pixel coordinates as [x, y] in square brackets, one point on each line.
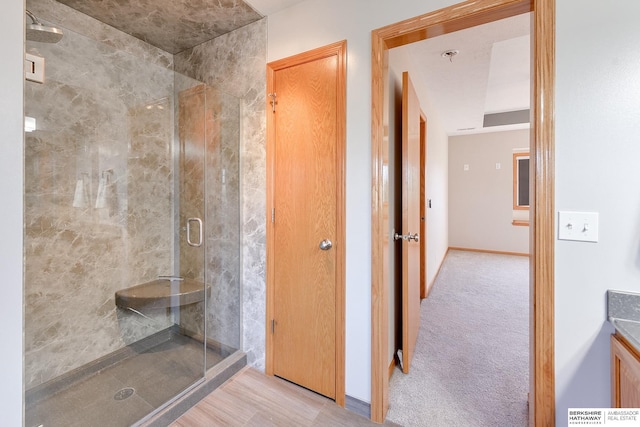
[312, 24]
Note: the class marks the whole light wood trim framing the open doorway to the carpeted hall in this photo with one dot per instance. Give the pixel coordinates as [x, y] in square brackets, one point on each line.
[453, 18]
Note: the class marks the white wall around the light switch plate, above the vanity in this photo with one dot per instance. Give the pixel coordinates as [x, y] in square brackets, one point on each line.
[597, 152]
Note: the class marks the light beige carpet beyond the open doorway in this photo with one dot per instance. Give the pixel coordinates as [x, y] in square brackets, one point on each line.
[471, 362]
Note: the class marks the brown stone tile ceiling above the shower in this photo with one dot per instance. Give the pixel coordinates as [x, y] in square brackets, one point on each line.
[170, 25]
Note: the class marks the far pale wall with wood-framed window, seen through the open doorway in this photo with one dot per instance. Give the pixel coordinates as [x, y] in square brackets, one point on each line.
[481, 198]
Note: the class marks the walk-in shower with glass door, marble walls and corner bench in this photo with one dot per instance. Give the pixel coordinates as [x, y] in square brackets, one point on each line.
[132, 260]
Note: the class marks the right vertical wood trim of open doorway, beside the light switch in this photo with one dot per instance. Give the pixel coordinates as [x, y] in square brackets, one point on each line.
[542, 224]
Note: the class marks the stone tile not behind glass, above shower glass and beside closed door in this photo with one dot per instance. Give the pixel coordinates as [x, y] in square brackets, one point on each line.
[235, 64]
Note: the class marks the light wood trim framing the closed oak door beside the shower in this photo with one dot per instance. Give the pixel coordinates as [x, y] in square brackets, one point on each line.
[339, 50]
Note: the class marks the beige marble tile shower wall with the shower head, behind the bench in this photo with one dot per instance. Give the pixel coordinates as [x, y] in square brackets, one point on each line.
[98, 191]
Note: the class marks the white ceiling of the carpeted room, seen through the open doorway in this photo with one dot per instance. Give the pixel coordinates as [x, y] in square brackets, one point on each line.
[490, 74]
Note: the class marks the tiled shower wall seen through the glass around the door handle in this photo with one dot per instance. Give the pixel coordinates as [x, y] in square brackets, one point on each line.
[210, 190]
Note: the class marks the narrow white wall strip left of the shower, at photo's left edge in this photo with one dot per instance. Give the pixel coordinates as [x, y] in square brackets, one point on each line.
[11, 143]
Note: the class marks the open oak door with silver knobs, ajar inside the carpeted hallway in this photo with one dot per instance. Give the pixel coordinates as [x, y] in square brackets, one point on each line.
[410, 220]
